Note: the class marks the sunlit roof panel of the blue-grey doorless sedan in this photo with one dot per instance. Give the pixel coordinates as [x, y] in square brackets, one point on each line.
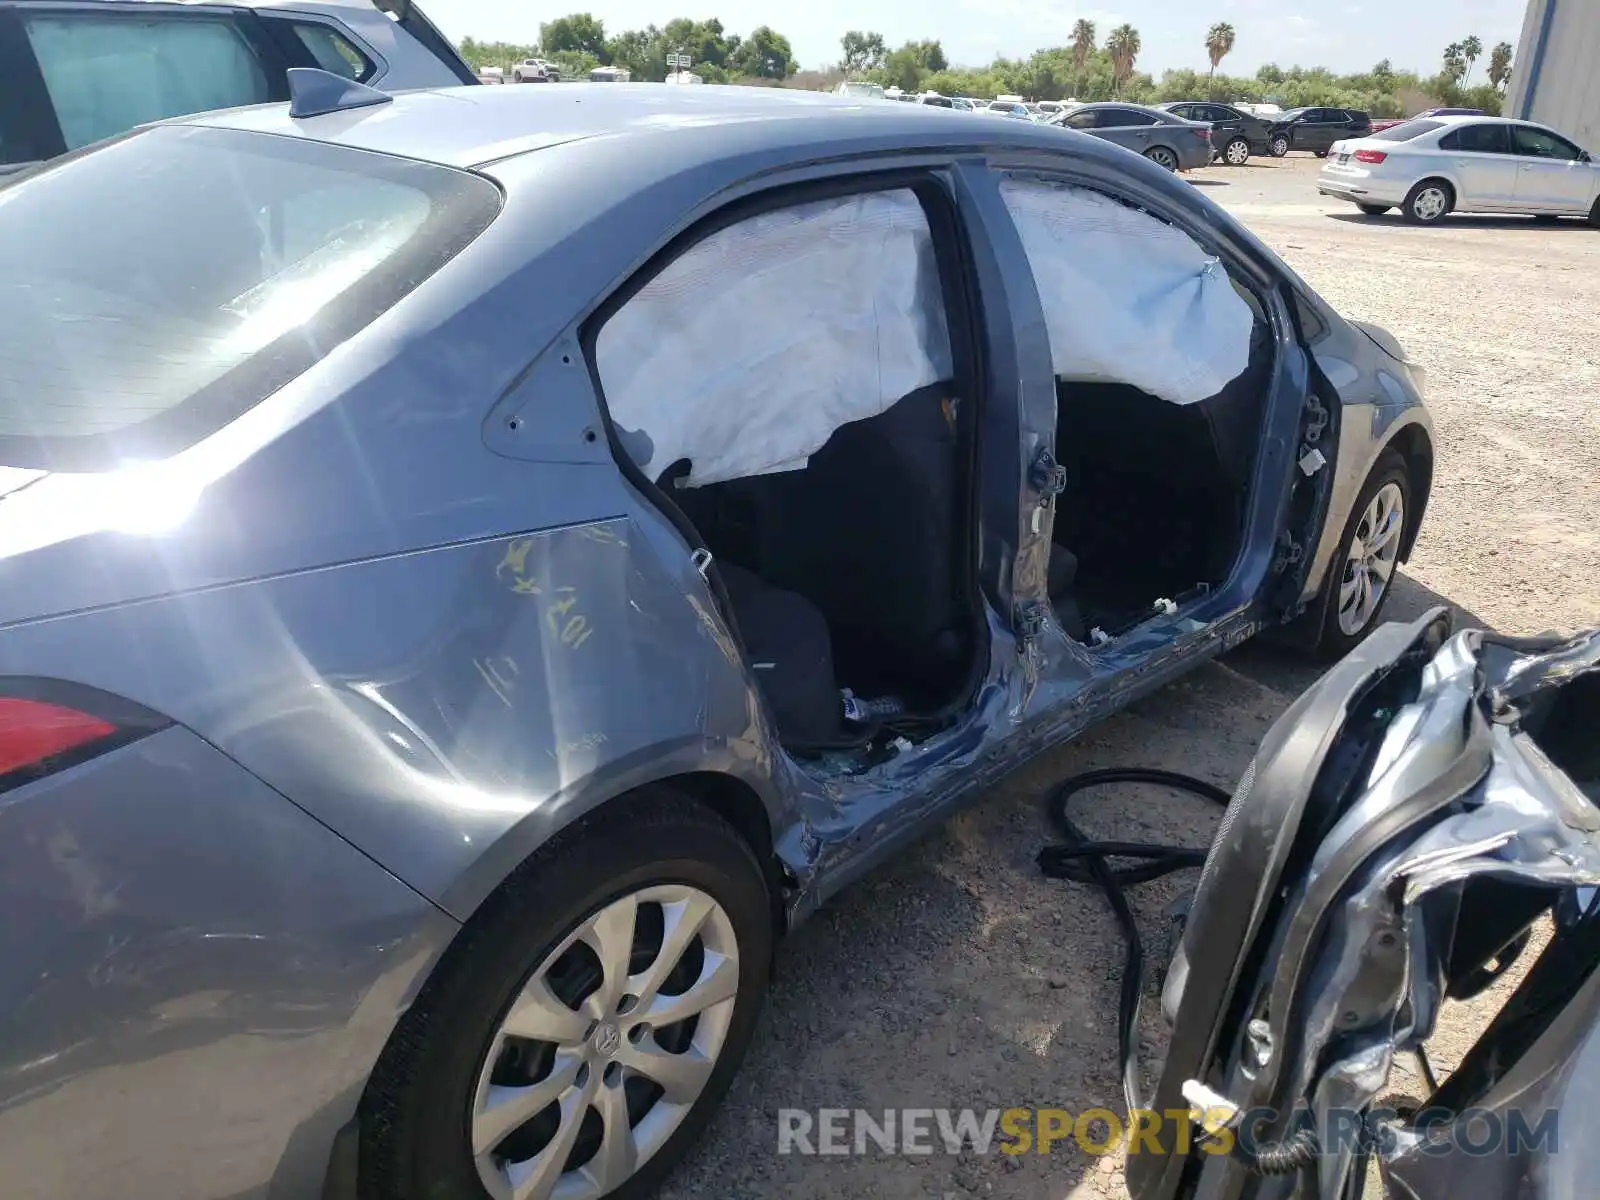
[474, 126]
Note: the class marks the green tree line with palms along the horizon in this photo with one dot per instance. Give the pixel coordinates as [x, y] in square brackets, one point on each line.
[1090, 68]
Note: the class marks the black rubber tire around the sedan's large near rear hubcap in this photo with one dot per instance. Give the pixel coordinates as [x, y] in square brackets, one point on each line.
[415, 1114]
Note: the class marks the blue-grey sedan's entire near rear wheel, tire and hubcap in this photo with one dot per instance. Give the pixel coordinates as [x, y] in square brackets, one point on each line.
[585, 1025]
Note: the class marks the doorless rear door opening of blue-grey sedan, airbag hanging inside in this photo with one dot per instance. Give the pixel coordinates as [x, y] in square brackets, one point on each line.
[791, 385]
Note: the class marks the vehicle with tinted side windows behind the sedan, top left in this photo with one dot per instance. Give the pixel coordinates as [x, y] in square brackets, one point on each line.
[78, 71]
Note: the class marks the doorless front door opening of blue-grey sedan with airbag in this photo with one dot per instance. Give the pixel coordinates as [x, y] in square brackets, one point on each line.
[1162, 372]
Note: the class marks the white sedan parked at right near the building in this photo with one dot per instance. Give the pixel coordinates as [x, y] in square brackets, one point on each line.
[1438, 166]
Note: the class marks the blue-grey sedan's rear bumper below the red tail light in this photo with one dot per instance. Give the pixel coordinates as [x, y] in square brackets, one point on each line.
[198, 980]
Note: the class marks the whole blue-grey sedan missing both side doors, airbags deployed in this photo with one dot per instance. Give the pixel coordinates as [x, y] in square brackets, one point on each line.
[478, 567]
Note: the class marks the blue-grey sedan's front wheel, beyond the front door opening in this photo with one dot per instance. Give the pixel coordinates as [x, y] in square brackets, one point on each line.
[1362, 569]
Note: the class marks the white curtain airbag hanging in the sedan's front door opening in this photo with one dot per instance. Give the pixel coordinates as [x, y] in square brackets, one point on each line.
[1127, 297]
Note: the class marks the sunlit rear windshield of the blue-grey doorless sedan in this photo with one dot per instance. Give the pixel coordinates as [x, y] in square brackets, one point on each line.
[159, 287]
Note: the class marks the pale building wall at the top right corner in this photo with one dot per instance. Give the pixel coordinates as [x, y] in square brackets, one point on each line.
[1567, 90]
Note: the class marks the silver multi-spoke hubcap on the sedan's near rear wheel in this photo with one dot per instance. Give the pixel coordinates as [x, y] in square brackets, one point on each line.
[607, 1047]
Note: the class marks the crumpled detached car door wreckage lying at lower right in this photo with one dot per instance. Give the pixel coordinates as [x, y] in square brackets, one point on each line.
[1409, 830]
